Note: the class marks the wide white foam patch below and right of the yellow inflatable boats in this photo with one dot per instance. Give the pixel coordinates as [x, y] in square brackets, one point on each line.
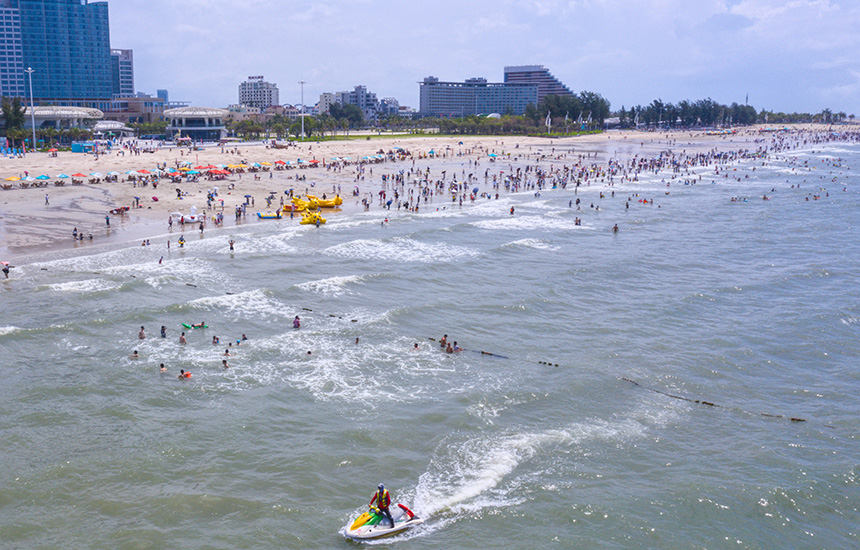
[400, 249]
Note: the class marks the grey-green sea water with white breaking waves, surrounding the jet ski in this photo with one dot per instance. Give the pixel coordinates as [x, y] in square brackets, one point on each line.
[753, 306]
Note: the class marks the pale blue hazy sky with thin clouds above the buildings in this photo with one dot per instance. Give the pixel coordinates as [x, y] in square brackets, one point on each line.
[788, 55]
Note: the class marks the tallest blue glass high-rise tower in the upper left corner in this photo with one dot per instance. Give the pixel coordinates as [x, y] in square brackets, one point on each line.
[66, 42]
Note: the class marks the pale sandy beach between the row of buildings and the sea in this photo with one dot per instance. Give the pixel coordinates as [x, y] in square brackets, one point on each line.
[29, 226]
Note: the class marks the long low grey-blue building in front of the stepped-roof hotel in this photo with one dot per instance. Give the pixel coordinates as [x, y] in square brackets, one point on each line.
[475, 96]
